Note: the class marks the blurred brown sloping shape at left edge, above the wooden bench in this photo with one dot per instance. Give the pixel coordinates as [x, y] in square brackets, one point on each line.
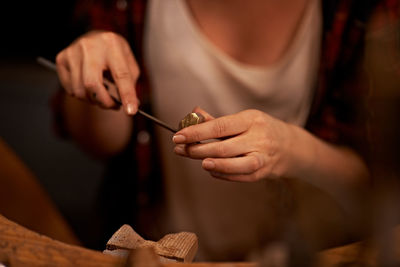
[23, 200]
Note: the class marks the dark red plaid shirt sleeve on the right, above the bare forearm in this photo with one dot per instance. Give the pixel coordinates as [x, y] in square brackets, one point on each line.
[344, 107]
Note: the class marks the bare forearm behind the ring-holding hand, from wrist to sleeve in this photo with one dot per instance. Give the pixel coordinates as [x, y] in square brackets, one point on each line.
[334, 169]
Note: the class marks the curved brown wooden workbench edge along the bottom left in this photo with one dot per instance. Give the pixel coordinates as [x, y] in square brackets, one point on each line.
[22, 247]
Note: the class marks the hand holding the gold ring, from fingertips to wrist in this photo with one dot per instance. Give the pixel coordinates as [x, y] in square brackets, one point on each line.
[252, 145]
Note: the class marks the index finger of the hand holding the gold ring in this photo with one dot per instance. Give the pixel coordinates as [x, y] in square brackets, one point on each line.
[221, 127]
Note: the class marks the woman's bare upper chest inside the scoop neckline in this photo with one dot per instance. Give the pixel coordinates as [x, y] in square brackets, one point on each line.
[256, 32]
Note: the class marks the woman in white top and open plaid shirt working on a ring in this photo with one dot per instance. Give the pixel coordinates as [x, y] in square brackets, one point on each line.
[285, 109]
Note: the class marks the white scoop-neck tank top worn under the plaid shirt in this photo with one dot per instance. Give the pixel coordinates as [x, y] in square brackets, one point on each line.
[187, 70]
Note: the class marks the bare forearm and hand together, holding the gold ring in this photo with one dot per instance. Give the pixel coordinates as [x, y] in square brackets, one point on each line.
[254, 146]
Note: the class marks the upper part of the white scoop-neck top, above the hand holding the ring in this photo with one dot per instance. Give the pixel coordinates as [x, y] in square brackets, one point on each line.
[187, 68]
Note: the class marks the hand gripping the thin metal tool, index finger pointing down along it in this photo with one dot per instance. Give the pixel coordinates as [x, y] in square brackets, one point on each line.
[80, 68]
